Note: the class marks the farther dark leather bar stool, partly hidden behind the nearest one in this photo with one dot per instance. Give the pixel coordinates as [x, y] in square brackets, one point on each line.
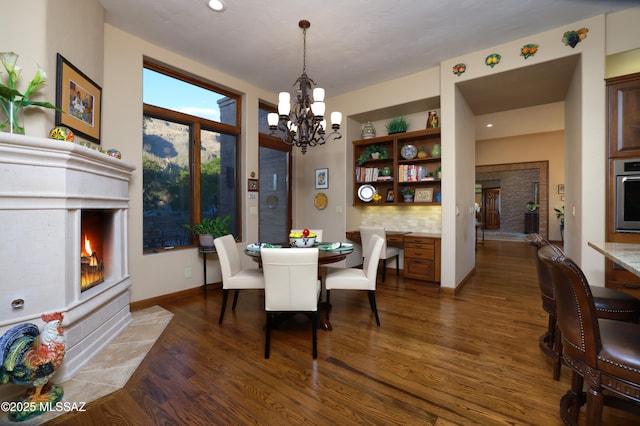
[610, 304]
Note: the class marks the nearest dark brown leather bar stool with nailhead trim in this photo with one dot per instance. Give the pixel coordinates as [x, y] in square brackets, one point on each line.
[604, 355]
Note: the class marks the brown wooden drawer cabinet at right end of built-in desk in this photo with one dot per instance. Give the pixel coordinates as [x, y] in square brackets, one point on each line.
[422, 257]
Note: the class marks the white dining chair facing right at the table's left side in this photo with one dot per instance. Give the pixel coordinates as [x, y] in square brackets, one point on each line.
[234, 276]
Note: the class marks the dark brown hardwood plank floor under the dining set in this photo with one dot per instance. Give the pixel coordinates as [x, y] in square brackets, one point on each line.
[435, 359]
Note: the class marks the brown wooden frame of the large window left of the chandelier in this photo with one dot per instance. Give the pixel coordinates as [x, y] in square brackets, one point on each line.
[196, 125]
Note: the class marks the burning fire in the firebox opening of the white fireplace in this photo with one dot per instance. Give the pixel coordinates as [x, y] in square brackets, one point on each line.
[94, 224]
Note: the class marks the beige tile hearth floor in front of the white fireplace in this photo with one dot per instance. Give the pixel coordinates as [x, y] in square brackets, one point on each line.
[111, 369]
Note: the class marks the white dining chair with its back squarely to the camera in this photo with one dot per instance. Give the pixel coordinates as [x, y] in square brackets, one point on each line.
[291, 286]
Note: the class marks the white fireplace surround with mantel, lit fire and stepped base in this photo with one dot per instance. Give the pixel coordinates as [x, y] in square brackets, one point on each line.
[57, 199]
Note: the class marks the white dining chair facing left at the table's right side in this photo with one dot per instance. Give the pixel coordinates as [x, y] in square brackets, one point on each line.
[356, 278]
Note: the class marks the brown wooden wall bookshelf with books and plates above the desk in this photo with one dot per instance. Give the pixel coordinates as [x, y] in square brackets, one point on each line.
[415, 173]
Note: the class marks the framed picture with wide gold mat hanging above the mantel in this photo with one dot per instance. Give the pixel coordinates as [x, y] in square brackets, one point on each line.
[79, 101]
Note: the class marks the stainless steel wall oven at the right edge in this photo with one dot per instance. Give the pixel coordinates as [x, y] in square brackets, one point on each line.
[627, 195]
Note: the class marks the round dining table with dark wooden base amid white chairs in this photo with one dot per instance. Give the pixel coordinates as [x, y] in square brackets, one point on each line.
[325, 256]
